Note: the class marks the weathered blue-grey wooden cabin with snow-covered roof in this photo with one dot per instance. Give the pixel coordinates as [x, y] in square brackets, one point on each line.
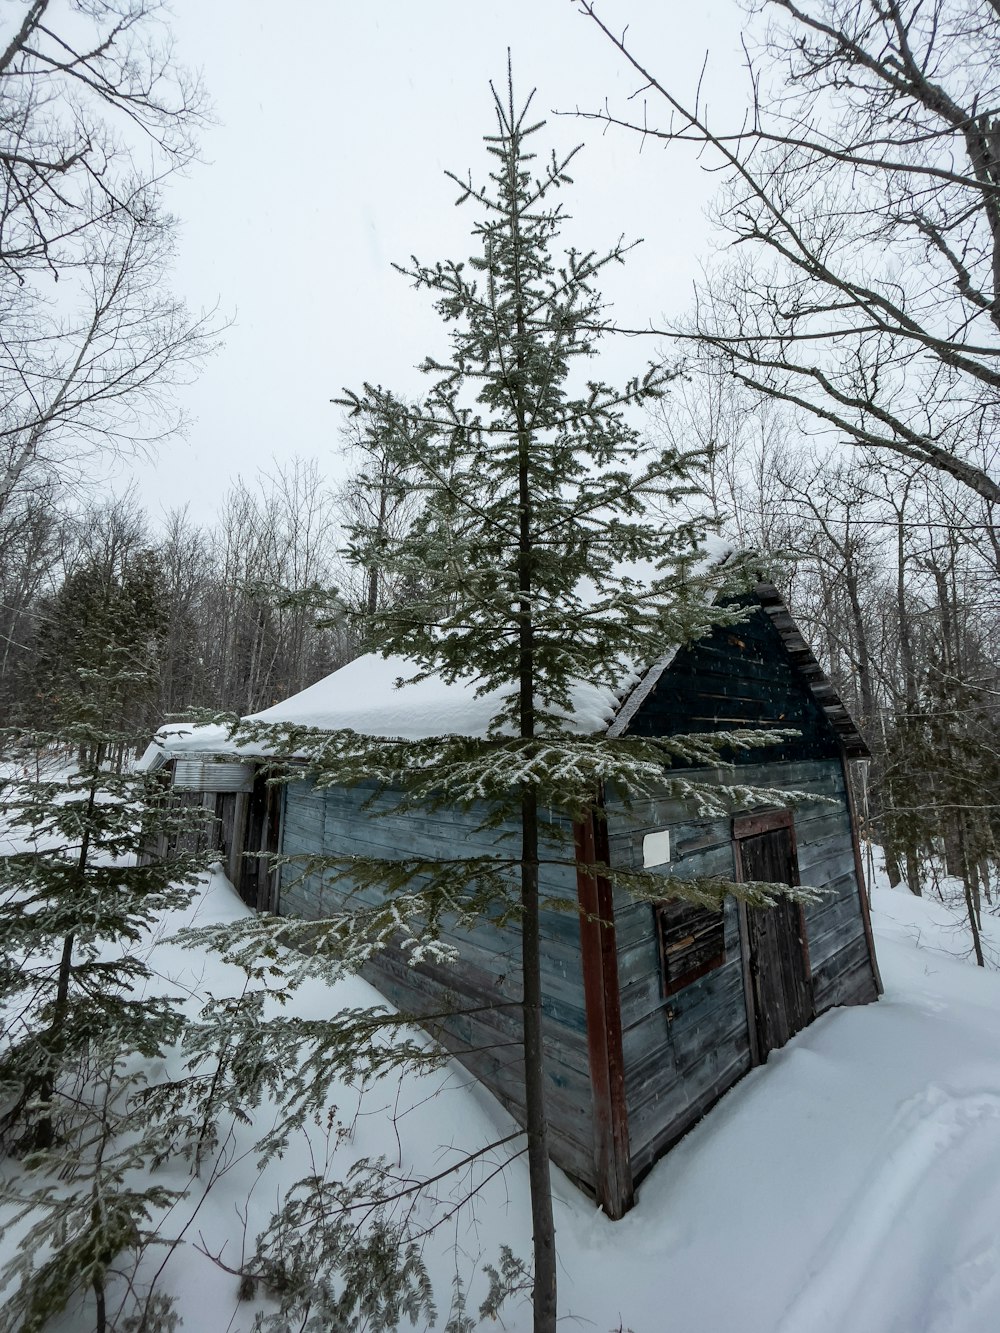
[653, 1012]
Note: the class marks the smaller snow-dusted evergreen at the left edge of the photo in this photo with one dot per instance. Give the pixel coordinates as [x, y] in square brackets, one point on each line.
[77, 903]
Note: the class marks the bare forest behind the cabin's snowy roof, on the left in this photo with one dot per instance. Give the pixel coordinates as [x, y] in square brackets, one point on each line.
[235, 605]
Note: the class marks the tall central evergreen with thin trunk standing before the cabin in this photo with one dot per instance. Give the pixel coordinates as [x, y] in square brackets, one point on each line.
[538, 565]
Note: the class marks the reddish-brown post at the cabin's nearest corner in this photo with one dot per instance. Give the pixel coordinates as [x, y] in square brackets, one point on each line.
[601, 978]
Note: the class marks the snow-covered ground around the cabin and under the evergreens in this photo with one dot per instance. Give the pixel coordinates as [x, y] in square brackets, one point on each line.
[854, 1183]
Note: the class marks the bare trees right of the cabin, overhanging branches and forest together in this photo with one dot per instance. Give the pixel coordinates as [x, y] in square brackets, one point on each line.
[845, 379]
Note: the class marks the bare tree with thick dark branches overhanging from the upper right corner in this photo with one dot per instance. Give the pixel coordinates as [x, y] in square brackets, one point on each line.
[863, 201]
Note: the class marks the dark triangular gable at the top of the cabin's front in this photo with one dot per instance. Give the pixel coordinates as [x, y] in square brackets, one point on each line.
[739, 678]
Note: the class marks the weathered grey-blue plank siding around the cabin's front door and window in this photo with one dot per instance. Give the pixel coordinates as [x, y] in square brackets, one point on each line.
[685, 1051]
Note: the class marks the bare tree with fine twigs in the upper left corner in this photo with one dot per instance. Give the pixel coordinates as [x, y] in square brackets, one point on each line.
[94, 113]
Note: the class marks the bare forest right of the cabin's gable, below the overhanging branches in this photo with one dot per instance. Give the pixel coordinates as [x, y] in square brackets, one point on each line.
[894, 577]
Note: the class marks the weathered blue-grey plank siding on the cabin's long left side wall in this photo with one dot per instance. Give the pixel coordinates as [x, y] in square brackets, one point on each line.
[471, 1004]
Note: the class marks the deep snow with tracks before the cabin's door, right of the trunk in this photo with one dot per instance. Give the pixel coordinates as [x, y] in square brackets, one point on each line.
[854, 1183]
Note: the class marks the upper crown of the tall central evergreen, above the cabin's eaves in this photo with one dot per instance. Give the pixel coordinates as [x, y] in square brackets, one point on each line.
[538, 491]
